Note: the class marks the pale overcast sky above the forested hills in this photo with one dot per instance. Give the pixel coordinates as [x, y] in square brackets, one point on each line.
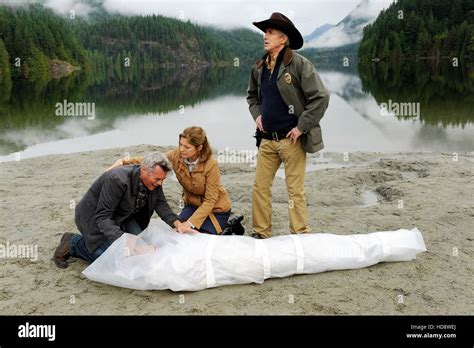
[306, 14]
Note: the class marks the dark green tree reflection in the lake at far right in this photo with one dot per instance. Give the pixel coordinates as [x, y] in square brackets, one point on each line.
[445, 92]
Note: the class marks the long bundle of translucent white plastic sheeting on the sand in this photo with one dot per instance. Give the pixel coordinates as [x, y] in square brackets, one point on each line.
[160, 258]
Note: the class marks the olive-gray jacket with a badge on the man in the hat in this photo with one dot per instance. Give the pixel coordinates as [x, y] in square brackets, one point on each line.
[300, 87]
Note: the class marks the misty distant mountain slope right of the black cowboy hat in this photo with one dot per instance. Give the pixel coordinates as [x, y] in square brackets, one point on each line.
[349, 30]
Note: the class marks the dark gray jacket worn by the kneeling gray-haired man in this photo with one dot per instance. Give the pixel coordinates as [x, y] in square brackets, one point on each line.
[110, 201]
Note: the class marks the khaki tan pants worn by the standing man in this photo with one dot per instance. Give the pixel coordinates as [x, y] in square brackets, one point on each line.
[270, 155]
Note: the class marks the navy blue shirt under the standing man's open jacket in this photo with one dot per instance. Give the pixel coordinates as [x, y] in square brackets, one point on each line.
[275, 113]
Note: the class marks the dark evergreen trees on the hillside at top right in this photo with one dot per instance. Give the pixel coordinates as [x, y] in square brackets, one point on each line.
[417, 29]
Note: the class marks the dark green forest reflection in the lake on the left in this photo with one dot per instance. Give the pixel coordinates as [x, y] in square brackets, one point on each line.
[29, 117]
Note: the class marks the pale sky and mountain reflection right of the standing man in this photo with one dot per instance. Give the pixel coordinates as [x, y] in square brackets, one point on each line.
[358, 122]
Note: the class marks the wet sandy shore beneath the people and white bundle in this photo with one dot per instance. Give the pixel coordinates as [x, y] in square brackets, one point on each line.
[435, 190]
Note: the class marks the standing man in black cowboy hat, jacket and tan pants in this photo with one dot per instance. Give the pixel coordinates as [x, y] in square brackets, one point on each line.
[287, 100]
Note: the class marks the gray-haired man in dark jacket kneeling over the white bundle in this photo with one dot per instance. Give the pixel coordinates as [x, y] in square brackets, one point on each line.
[120, 200]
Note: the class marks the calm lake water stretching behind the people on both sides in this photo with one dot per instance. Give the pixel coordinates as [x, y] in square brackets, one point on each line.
[361, 116]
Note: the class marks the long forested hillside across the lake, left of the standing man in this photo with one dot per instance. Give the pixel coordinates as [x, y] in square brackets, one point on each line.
[113, 46]
